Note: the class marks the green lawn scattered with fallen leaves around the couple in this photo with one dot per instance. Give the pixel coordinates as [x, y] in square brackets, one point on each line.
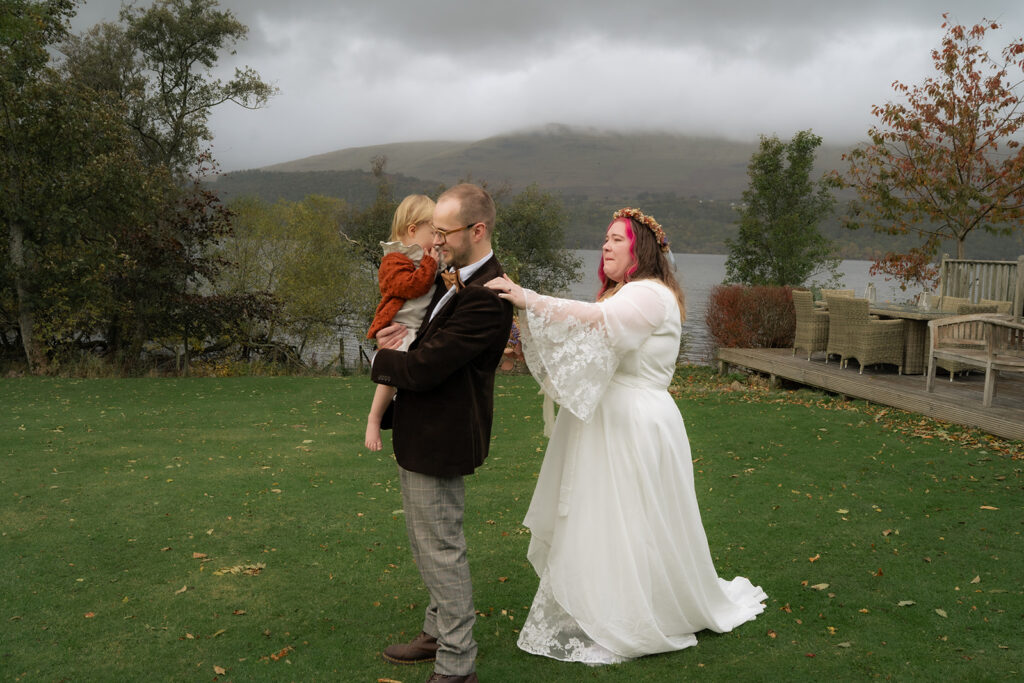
[169, 529]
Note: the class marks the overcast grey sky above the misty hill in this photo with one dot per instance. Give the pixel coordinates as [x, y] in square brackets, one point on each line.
[355, 73]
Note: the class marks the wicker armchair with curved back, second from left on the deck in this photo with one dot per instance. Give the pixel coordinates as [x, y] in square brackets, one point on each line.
[860, 337]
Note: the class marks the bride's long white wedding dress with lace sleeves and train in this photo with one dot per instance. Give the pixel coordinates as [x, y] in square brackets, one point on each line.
[617, 537]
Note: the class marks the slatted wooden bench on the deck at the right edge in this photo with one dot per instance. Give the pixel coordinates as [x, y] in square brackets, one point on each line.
[988, 341]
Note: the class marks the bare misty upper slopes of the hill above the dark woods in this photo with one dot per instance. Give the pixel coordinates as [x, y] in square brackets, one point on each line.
[572, 161]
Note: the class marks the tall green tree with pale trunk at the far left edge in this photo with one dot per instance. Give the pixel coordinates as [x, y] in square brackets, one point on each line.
[66, 167]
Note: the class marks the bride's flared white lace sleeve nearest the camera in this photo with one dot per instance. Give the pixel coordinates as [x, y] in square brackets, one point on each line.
[573, 349]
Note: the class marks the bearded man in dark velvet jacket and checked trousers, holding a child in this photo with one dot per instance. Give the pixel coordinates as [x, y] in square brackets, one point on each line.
[442, 423]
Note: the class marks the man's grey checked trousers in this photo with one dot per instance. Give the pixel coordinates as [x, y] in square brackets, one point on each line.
[434, 520]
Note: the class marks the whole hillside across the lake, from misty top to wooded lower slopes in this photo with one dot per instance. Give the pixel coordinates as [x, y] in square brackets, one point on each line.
[691, 184]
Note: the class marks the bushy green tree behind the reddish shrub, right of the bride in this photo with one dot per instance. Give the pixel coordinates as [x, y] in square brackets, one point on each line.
[780, 242]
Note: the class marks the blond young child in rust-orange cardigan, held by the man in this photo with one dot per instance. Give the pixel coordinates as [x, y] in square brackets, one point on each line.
[407, 281]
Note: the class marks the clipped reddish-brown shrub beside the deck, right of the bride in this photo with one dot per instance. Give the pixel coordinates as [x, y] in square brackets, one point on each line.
[760, 317]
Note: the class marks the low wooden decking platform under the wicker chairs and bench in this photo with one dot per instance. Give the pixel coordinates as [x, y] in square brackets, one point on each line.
[958, 402]
